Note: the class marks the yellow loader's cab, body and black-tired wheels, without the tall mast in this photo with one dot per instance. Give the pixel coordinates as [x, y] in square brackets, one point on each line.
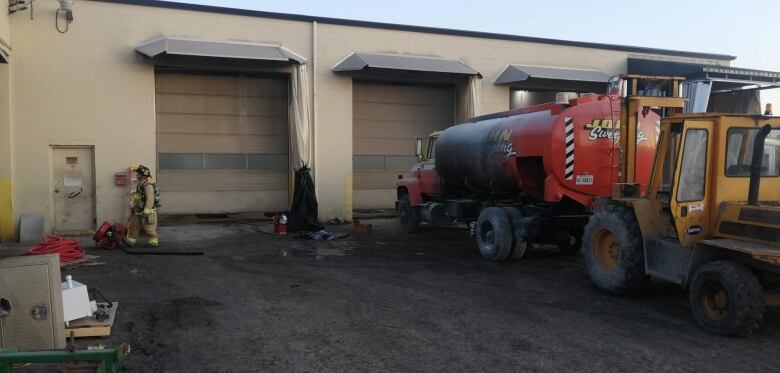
[710, 221]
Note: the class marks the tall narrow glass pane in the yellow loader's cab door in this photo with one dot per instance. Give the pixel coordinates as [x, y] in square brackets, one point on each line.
[693, 170]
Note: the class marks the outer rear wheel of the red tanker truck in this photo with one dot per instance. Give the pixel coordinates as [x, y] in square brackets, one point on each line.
[494, 234]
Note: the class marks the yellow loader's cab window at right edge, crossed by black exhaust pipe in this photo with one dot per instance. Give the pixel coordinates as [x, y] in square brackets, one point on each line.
[739, 152]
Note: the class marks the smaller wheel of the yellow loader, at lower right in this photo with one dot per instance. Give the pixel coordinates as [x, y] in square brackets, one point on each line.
[727, 299]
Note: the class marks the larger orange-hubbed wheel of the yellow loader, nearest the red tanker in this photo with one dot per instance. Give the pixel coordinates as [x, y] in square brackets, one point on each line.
[614, 252]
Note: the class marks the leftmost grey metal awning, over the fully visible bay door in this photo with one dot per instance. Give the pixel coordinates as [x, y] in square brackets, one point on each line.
[176, 46]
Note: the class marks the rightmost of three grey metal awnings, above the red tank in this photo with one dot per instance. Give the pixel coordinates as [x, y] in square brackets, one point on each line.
[540, 77]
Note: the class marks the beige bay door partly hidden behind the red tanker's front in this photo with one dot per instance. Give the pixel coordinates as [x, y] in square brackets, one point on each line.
[386, 120]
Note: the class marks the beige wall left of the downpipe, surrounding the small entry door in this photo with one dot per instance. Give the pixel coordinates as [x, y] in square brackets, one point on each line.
[88, 87]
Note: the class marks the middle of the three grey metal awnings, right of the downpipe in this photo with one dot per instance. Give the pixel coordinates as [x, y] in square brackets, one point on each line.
[361, 62]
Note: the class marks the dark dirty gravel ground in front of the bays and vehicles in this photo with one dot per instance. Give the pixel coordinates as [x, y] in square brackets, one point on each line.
[388, 301]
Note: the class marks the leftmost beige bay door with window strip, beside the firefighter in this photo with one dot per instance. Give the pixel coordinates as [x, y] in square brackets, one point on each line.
[222, 143]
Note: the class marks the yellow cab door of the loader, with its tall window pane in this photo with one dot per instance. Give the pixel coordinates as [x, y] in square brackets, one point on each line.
[689, 200]
